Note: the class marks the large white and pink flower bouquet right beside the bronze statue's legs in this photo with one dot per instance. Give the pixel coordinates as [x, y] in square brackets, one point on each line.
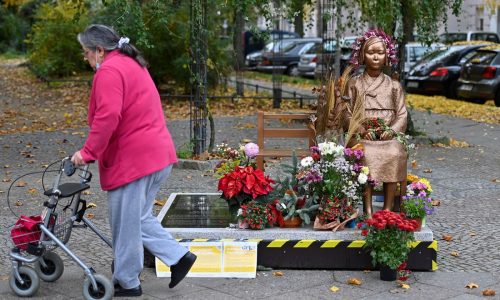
[336, 176]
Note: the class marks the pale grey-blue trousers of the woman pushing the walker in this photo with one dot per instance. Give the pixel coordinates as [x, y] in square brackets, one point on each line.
[133, 227]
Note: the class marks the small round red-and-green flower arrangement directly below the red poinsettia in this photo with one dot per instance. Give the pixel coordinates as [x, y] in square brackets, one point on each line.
[254, 215]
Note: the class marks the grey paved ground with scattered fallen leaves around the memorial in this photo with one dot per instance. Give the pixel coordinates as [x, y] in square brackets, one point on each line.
[461, 179]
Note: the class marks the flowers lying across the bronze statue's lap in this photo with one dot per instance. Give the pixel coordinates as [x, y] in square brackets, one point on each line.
[377, 129]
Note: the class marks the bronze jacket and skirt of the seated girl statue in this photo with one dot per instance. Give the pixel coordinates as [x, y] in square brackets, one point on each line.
[383, 98]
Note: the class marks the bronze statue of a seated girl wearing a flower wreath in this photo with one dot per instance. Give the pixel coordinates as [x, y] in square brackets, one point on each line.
[371, 95]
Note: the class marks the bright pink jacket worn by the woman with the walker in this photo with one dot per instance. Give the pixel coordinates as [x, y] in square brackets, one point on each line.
[128, 133]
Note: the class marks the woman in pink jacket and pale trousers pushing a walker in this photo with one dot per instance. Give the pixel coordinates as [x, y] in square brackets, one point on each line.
[129, 139]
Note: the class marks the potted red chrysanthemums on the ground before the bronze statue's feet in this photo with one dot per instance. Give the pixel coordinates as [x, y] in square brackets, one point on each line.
[388, 236]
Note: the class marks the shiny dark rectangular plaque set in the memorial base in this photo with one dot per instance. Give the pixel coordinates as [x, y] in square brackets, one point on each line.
[197, 211]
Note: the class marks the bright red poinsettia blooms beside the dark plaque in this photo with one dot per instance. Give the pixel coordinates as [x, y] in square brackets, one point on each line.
[245, 180]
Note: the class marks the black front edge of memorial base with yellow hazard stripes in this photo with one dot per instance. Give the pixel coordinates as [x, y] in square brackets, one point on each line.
[329, 254]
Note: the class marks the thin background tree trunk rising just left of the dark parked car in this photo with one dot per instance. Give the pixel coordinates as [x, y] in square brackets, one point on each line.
[239, 60]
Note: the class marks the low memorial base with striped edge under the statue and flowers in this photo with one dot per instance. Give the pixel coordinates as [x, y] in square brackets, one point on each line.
[287, 248]
